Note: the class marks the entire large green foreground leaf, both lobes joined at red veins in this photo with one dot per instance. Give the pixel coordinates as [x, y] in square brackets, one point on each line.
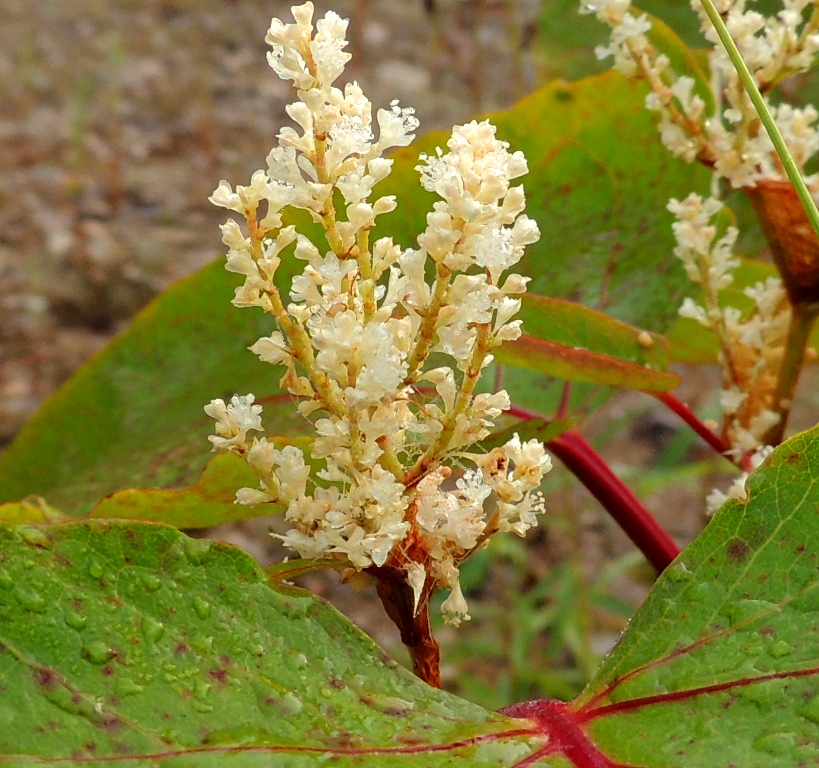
[128, 643]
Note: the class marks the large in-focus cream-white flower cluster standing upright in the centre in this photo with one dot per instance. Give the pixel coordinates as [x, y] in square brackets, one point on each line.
[362, 320]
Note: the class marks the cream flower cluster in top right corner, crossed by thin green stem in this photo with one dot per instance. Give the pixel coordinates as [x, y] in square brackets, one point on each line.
[732, 139]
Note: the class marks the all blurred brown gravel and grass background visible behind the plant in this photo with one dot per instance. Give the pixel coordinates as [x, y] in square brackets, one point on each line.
[119, 118]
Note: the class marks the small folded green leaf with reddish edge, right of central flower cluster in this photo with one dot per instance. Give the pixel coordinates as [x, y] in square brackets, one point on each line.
[572, 342]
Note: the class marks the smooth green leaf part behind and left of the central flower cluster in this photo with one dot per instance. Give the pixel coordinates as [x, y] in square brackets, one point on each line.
[133, 416]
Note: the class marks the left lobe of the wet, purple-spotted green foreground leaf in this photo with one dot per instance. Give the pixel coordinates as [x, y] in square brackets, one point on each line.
[133, 644]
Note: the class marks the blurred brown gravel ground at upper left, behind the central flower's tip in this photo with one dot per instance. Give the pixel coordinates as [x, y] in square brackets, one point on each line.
[119, 118]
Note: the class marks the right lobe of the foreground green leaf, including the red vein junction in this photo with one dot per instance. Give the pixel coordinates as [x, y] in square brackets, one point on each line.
[720, 666]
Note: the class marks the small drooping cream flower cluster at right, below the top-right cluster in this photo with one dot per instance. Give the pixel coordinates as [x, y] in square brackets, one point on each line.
[751, 346]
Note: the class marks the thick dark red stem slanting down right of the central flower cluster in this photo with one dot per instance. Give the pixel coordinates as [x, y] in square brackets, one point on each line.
[616, 498]
